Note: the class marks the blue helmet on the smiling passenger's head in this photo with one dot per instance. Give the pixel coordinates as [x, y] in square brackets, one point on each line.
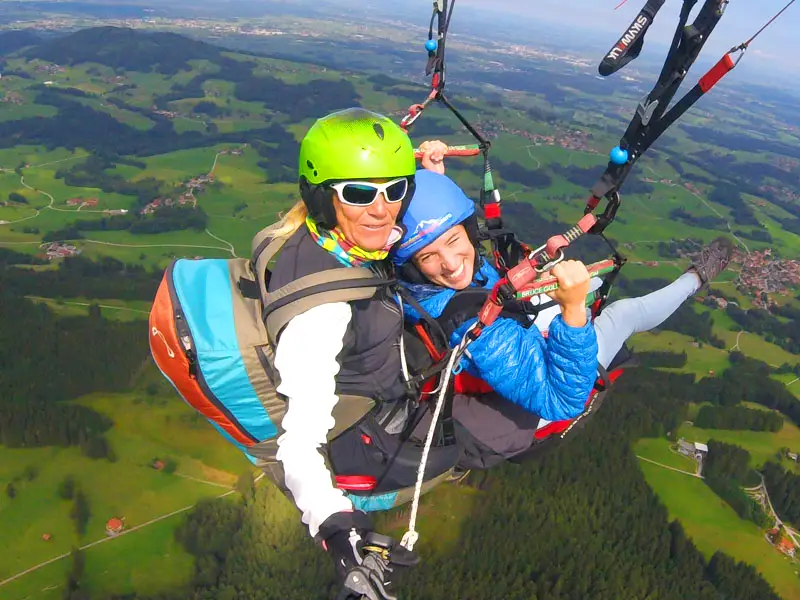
[438, 204]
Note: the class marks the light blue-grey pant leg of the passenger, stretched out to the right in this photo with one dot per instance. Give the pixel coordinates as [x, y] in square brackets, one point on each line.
[621, 319]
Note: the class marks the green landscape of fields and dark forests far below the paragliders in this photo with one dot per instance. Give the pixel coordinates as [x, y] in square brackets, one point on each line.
[121, 150]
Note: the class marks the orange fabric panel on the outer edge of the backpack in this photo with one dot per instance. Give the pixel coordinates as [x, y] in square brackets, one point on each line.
[168, 353]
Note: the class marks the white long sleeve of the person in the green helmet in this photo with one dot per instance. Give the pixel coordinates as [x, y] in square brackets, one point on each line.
[305, 358]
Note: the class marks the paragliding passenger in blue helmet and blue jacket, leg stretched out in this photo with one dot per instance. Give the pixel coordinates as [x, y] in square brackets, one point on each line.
[549, 379]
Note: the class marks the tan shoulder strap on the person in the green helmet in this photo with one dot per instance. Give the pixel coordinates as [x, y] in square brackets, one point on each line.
[332, 285]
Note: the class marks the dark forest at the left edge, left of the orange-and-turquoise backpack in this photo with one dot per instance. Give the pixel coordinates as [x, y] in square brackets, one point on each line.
[82, 354]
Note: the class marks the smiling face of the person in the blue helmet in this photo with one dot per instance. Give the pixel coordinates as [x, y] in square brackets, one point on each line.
[449, 261]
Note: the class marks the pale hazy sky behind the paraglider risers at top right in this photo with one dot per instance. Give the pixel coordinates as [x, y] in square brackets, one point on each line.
[741, 20]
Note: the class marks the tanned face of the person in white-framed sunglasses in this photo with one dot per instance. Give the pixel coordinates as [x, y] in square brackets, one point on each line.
[368, 227]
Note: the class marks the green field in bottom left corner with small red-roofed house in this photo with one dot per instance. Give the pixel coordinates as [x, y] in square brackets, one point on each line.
[146, 427]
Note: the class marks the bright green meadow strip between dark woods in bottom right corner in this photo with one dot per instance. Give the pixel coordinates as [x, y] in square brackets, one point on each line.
[713, 525]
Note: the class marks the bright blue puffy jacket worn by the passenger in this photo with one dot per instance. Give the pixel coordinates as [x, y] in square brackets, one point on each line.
[550, 377]
